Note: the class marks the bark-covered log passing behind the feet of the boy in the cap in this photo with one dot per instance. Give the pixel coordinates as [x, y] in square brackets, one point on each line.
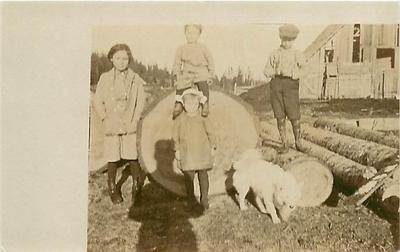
[350, 173]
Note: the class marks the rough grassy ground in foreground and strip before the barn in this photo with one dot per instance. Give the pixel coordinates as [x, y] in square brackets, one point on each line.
[162, 221]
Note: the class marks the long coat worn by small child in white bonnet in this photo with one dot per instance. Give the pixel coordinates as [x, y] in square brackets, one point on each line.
[194, 137]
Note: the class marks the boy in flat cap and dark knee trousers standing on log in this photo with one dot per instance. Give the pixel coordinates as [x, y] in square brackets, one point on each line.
[283, 67]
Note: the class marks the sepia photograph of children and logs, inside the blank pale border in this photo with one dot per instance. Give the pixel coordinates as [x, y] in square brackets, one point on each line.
[252, 137]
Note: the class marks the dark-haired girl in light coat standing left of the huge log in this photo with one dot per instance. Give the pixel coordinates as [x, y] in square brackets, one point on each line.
[119, 101]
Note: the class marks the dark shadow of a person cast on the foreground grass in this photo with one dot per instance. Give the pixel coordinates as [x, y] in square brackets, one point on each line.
[165, 221]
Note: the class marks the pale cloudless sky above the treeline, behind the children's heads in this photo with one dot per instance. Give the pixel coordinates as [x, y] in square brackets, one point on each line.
[247, 45]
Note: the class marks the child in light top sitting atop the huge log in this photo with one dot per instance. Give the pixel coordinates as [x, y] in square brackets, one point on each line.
[193, 66]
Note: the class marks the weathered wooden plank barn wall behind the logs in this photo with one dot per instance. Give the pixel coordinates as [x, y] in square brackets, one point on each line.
[371, 77]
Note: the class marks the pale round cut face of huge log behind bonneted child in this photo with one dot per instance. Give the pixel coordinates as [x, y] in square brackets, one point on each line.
[235, 126]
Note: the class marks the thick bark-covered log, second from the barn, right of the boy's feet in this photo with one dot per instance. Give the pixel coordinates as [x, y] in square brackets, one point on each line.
[362, 151]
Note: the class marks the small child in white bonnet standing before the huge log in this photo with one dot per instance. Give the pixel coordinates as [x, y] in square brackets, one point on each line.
[195, 144]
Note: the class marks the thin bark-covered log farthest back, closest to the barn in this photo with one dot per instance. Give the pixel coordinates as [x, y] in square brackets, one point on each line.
[346, 129]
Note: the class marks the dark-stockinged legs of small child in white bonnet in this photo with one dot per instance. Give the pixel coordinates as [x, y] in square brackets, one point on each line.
[204, 186]
